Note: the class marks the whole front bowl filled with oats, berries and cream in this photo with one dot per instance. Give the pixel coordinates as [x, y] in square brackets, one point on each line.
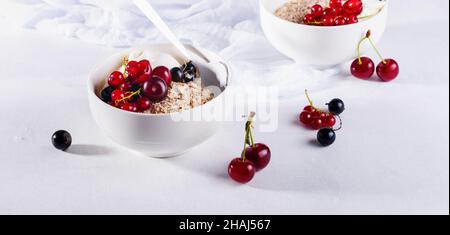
[141, 102]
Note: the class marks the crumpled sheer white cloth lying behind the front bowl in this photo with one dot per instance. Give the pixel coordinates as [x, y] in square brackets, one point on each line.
[228, 27]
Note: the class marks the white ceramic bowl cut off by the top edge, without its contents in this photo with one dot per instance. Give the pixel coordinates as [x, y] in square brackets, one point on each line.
[314, 45]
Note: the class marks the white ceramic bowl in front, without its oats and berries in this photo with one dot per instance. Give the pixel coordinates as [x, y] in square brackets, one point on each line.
[161, 135]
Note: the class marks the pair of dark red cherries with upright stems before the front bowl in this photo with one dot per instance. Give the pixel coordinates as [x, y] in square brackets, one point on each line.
[254, 157]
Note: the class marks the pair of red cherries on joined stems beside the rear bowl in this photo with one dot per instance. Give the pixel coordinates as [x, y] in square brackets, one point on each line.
[364, 68]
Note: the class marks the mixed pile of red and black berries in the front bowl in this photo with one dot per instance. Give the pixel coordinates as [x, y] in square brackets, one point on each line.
[139, 85]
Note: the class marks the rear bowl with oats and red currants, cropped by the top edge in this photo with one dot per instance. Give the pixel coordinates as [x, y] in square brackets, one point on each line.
[322, 33]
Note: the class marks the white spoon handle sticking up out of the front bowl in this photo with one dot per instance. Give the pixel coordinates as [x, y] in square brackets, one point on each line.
[151, 14]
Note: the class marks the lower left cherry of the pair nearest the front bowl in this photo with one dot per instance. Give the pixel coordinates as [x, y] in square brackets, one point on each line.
[241, 171]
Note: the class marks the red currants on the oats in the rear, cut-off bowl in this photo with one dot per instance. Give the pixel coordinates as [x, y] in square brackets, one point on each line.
[336, 14]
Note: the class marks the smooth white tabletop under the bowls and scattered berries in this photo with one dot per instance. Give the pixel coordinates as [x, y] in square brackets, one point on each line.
[392, 156]
